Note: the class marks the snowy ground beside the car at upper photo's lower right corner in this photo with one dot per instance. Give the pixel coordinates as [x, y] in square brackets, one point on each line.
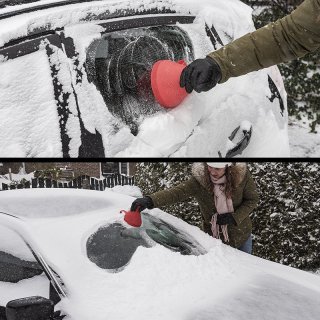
[303, 143]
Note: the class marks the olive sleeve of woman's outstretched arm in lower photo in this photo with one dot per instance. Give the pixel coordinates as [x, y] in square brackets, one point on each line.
[175, 194]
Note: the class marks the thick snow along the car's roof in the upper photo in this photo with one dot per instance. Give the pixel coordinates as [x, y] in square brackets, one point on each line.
[221, 12]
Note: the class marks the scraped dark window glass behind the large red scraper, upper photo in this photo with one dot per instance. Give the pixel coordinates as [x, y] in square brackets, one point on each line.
[120, 63]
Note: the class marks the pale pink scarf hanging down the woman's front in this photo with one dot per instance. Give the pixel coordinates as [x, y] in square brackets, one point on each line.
[223, 205]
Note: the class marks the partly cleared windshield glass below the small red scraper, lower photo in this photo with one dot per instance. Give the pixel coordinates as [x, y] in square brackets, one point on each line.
[111, 247]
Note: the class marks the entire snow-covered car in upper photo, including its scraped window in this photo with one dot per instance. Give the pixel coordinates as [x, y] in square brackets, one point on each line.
[75, 82]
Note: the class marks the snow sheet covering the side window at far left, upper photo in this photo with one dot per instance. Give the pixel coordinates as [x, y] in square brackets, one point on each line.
[29, 122]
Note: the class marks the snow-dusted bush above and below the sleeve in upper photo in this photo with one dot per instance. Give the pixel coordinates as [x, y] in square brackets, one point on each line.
[301, 76]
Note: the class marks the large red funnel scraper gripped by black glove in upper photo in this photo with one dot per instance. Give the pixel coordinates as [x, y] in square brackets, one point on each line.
[165, 82]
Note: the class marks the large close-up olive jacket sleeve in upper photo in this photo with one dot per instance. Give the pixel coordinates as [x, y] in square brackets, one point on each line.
[286, 39]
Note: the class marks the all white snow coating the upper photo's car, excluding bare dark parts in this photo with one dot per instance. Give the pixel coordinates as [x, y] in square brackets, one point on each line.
[200, 126]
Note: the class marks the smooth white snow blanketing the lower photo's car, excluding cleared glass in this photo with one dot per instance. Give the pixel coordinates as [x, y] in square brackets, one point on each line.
[158, 283]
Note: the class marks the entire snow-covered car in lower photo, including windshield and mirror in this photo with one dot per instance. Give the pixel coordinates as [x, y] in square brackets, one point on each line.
[96, 266]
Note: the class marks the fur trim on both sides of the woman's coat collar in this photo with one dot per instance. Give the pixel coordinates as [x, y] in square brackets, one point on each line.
[201, 174]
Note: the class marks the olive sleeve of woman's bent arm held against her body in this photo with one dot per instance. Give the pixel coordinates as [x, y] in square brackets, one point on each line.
[249, 202]
